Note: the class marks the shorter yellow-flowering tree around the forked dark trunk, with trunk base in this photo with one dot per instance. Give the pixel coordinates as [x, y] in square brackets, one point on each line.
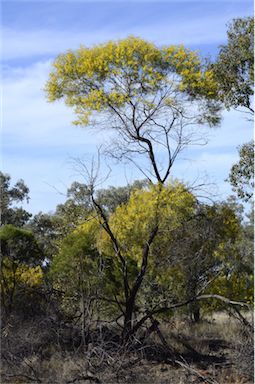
[139, 231]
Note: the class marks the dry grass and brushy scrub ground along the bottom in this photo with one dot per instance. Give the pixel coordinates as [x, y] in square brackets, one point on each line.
[216, 349]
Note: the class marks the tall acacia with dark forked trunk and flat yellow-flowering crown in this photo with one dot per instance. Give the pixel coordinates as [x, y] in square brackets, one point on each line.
[151, 98]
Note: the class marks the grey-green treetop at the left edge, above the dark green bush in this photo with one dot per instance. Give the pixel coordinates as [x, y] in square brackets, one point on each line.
[10, 195]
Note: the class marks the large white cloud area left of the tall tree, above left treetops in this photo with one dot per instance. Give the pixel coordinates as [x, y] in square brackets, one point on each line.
[38, 137]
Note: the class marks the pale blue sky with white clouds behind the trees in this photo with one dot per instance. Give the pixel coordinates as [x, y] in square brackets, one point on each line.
[38, 139]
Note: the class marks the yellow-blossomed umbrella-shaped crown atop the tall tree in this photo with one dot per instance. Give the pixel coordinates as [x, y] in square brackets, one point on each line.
[114, 73]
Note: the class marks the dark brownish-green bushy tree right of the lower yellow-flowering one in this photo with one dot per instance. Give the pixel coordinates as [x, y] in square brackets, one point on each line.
[200, 250]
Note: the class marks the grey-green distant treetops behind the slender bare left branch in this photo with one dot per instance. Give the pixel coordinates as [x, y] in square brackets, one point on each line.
[51, 229]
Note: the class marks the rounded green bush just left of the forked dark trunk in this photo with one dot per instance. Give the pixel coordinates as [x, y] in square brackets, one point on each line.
[75, 270]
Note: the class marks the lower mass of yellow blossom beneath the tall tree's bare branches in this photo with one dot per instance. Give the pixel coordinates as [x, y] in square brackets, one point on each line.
[132, 222]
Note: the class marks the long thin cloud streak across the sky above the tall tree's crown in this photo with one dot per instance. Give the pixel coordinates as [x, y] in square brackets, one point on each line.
[20, 44]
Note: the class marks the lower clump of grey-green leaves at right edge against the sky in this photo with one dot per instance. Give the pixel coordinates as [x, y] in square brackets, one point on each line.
[241, 175]
